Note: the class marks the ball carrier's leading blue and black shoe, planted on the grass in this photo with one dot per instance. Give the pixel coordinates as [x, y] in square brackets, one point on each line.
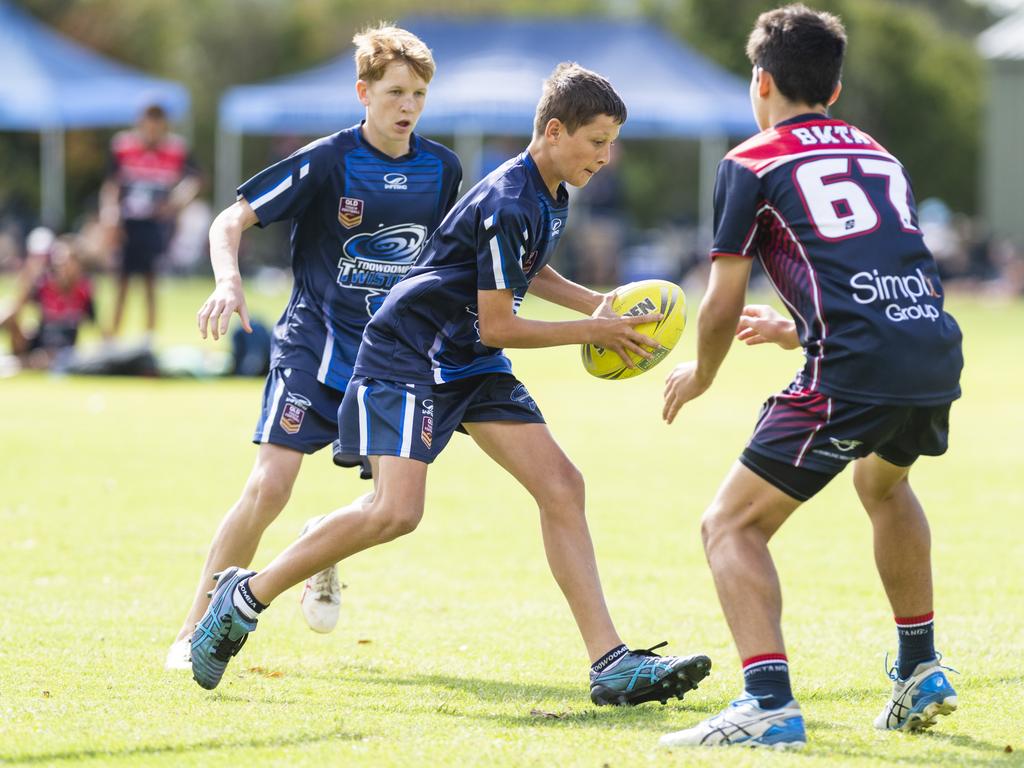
[641, 676]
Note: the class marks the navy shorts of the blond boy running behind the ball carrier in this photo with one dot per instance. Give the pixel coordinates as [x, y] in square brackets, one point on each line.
[298, 412]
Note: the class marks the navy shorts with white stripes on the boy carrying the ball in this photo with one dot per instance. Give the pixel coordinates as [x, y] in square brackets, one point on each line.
[385, 418]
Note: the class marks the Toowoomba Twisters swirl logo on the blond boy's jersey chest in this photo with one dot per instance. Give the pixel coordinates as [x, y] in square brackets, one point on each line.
[376, 262]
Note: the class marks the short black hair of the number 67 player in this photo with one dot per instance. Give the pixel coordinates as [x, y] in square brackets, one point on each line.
[802, 50]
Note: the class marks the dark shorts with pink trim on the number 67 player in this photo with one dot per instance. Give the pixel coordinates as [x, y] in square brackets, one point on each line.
[805, 439]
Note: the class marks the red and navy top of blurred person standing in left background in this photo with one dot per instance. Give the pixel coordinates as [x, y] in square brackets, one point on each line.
[147, 175]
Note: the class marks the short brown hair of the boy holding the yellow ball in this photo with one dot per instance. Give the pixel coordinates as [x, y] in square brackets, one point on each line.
[576, 97]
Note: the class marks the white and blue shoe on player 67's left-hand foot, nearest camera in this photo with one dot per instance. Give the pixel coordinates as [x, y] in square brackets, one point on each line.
[744, 723]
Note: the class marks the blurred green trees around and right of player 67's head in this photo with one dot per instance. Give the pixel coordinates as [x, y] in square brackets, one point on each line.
[910, 81]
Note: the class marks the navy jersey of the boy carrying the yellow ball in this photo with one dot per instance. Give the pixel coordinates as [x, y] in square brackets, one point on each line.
[500, 235]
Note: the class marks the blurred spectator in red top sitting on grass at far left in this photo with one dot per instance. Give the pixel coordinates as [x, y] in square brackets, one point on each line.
[53, 279]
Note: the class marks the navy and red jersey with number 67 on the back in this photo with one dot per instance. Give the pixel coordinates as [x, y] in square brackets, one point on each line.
[832, 218]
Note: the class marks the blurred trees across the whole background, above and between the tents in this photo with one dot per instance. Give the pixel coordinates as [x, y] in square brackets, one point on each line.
[912, 79]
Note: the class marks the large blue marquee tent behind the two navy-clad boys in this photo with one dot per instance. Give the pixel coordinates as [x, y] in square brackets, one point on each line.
[489, 80]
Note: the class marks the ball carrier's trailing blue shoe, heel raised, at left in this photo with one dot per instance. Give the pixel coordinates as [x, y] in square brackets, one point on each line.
[223, 630]
